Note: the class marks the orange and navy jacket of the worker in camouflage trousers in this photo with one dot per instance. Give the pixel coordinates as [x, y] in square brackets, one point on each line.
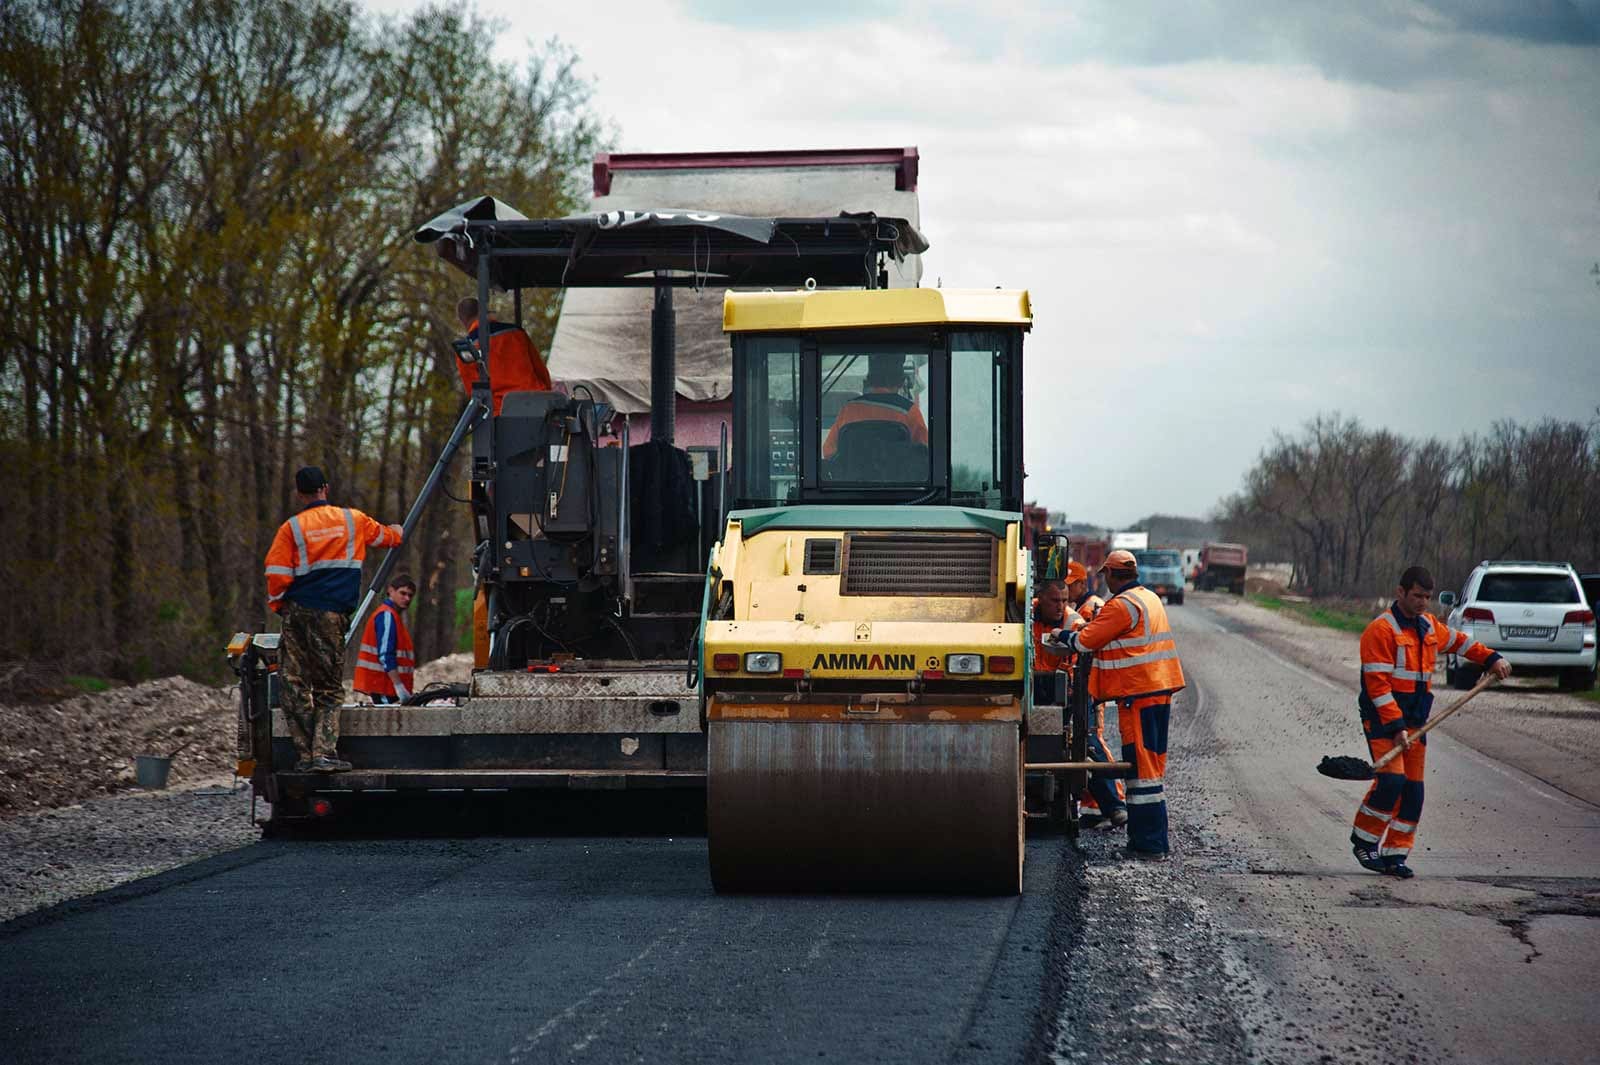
[316, 557]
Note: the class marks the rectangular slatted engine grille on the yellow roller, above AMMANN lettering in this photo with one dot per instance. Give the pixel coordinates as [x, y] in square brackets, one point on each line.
[919, 564]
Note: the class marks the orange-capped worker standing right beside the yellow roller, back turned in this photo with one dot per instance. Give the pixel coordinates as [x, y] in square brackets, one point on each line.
[1135, 664]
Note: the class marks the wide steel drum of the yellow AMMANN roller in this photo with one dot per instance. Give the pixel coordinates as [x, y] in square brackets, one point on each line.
[910, 799]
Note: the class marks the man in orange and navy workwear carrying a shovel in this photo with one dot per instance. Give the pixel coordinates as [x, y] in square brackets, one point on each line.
[1398, 669]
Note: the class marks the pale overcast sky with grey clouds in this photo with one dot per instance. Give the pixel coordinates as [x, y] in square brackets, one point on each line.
[1231, 215]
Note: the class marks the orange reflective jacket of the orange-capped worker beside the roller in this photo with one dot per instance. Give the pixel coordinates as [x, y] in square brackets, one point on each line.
[1134, 648]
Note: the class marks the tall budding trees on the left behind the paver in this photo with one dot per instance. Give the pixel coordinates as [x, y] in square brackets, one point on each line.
[209, 281]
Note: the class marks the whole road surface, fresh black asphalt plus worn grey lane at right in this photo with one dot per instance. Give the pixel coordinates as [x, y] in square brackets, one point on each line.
[1262, 941]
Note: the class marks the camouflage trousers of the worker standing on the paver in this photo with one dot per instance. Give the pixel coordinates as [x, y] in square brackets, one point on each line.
[311, 666]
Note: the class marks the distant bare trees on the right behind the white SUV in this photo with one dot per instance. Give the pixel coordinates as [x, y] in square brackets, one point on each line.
[1351, 506]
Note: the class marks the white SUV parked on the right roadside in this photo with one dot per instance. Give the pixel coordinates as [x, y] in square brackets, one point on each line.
[1532, 613]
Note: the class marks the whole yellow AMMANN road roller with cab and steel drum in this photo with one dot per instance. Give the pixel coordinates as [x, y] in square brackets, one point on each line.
[865, 653]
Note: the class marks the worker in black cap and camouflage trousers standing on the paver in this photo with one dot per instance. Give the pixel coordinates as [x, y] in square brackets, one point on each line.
[314, 581]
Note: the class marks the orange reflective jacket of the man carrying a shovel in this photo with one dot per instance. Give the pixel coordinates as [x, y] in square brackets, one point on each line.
[1398, 668]
